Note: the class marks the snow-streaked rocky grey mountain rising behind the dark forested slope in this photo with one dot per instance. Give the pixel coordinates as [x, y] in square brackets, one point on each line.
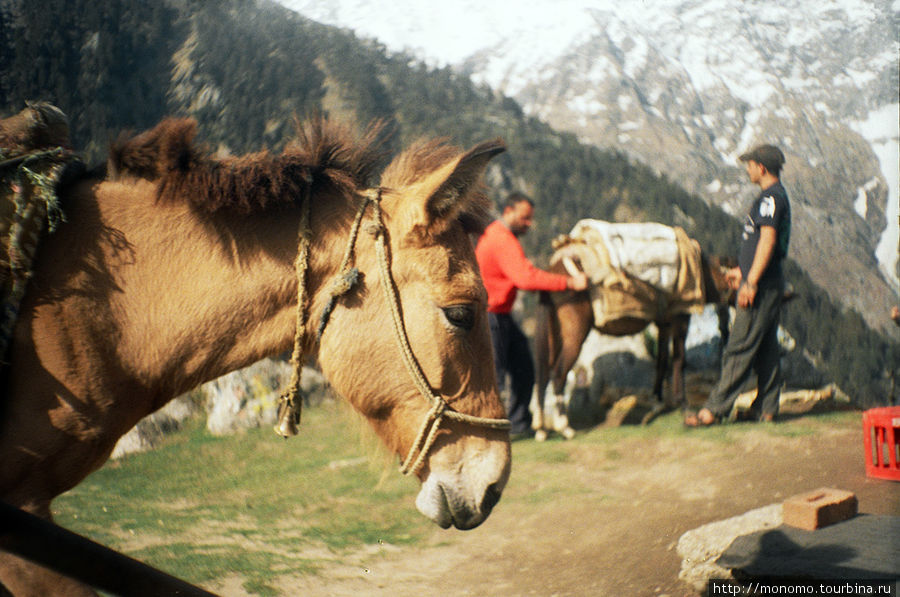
[686, 86]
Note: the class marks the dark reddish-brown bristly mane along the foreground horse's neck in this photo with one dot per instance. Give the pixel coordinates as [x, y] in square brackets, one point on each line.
[323, 154]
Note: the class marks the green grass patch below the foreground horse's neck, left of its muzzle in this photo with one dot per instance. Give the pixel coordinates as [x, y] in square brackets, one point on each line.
[201, 507]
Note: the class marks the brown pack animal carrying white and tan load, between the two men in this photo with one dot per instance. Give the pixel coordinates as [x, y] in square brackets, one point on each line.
[640, 273]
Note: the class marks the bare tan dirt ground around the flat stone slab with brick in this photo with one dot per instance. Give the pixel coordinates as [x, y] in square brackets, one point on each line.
[623, 542]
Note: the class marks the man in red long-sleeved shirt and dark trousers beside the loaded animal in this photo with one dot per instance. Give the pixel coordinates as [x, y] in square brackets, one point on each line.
[504, 270]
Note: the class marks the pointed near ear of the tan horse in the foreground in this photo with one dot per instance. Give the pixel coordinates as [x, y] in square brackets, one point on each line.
[451, 188]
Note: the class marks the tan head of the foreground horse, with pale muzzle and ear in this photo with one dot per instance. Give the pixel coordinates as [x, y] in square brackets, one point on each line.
[430, 199]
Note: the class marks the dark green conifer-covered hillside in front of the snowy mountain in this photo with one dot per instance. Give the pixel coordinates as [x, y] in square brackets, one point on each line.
[245, 68]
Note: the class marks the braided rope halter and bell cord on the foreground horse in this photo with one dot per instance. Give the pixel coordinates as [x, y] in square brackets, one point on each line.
[289, 407]
